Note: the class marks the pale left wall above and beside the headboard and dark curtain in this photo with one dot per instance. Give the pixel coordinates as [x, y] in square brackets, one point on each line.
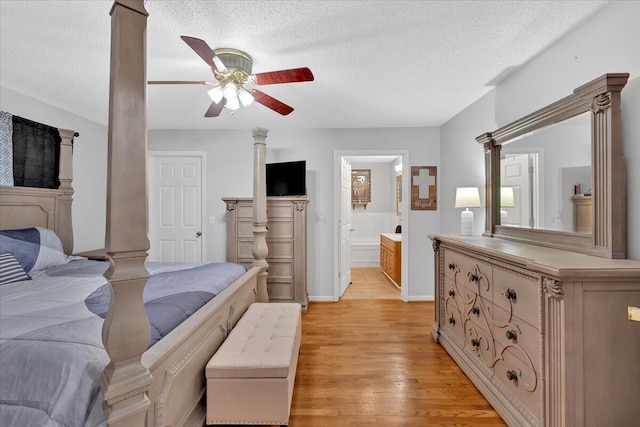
[89, 207]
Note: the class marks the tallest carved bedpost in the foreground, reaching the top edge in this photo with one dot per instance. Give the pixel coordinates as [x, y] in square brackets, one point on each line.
[125, 333]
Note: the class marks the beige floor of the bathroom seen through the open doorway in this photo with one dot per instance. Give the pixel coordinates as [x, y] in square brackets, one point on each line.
[370, 283]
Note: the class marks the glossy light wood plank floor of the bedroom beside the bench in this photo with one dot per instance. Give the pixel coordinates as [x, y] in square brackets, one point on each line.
[370, 362]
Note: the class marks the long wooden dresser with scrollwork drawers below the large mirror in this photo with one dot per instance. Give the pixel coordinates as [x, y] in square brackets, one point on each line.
[543, 333]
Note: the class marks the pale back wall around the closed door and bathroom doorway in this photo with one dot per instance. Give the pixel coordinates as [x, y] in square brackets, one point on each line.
[229, 164]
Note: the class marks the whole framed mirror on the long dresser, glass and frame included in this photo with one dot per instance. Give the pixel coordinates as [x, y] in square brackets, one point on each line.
[556, 177]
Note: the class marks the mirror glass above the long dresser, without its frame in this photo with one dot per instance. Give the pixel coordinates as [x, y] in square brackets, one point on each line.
[545, 178]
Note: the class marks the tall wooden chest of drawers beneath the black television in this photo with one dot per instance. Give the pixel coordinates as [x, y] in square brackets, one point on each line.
[286, 239]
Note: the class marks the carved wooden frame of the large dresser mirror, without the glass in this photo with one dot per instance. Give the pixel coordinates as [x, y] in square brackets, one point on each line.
[608, 238]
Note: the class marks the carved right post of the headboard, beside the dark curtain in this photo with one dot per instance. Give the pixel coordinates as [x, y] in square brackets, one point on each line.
[64, 227]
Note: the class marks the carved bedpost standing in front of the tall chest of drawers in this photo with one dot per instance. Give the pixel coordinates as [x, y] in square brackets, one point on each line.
[260, 249]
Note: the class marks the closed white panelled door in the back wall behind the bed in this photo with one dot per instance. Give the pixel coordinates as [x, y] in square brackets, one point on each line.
[175, 208]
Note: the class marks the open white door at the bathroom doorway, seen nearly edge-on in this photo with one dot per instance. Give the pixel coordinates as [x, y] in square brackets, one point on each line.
[344, 267]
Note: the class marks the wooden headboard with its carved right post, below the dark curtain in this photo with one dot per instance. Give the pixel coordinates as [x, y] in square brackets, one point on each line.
[23, 207]
